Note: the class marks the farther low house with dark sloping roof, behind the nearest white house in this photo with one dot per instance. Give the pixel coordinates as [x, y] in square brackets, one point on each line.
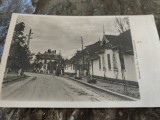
[79, 65]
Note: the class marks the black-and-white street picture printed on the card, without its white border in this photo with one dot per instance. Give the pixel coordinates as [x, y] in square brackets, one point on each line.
[71, 59]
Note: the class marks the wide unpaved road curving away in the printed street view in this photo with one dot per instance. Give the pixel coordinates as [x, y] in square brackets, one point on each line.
[52, 88]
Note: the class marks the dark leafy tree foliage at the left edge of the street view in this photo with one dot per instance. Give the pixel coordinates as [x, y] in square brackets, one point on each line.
[20, 55]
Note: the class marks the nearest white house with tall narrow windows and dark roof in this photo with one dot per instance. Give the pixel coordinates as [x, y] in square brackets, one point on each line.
[115, 59]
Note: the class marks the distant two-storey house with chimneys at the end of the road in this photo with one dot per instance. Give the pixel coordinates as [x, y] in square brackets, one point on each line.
[49, 62]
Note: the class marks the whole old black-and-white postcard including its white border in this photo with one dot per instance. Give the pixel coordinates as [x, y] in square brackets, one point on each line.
[78, 61]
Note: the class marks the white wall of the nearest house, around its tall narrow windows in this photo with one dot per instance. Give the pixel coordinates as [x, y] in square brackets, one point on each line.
[130, 70]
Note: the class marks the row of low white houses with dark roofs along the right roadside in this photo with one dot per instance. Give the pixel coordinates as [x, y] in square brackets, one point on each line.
[111, 58]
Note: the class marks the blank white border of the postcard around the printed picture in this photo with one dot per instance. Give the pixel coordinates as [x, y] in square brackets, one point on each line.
[146, 39]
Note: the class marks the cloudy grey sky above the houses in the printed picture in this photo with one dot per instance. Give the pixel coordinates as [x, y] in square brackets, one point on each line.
[64, 33]
